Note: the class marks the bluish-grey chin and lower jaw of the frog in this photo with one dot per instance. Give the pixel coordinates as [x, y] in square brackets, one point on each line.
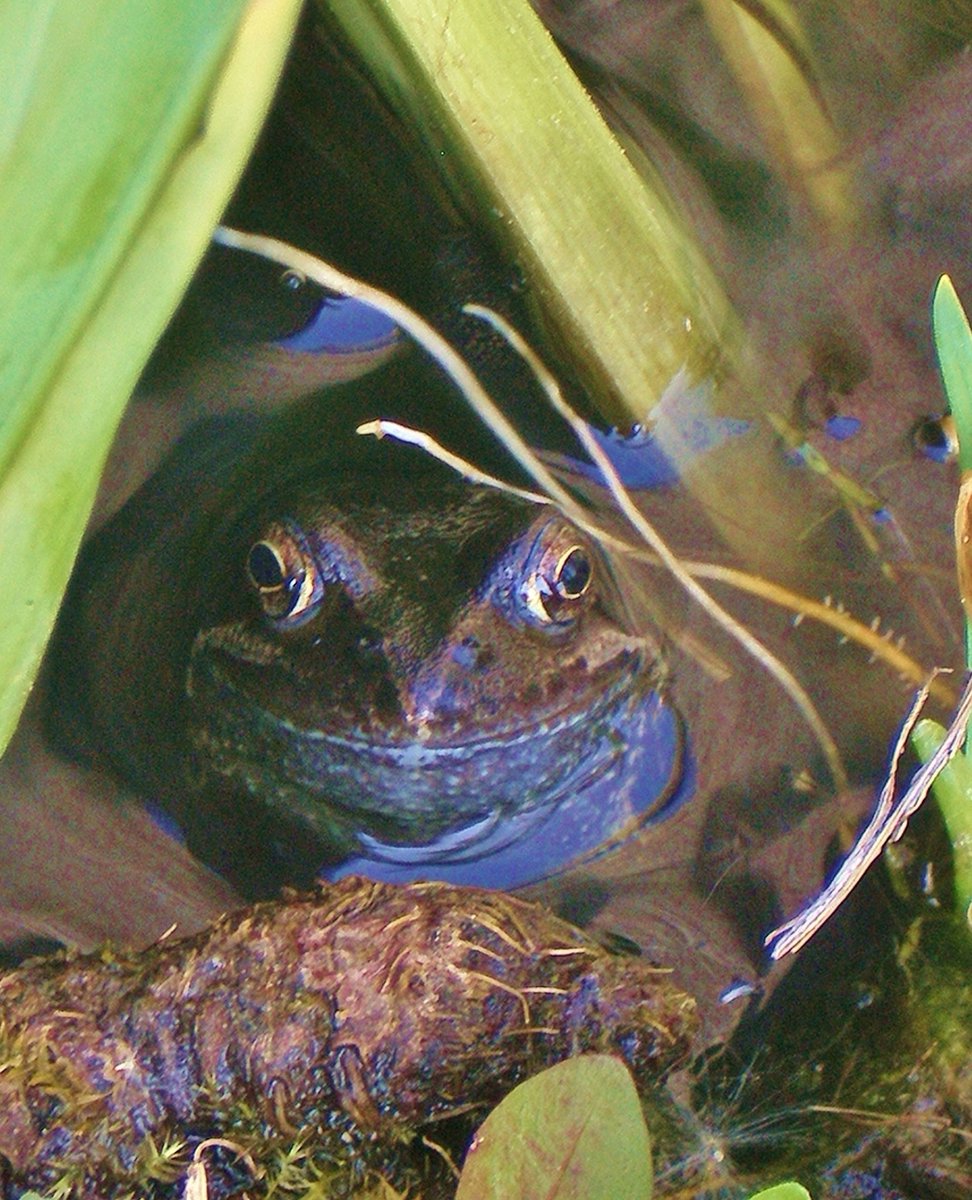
[399, 799]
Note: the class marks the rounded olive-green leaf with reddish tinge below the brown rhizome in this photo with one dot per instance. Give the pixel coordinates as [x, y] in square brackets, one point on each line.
[574, 1132]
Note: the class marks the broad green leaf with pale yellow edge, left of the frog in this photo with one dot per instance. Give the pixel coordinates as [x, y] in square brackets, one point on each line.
[124, 129]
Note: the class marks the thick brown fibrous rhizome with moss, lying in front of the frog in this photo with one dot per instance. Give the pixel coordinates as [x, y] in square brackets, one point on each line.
[340, 1023]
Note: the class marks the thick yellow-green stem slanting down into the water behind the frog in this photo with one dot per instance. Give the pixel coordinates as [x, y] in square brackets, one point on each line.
[515, 134]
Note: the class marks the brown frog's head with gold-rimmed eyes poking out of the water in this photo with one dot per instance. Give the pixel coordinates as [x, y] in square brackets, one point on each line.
[417, 670]
